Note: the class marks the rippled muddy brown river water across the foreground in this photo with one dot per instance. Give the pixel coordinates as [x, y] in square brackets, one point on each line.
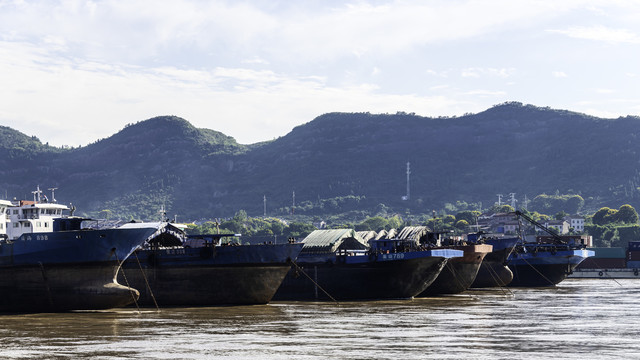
[580, 319]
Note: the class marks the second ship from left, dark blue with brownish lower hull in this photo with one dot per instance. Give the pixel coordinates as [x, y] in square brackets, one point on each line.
[206, 270]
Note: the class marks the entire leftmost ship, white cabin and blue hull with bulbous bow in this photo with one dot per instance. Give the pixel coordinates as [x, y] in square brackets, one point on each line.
[51, 262]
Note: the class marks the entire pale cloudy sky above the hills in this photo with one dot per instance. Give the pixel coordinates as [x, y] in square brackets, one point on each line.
[73, 72]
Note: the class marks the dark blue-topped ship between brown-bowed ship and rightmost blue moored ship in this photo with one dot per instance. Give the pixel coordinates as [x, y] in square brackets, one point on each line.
[494, 271]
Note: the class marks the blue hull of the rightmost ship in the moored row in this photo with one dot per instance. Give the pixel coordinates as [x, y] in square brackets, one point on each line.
[544, 268]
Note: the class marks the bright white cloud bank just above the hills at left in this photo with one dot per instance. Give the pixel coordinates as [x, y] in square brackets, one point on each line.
[247, 104]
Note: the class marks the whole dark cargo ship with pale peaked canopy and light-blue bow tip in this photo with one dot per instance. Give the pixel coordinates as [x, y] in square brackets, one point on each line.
[340, 265]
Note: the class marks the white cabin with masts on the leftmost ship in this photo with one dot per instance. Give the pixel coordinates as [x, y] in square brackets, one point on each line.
[27, 217]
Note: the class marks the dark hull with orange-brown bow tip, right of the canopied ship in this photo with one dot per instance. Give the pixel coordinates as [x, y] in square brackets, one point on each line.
[459, 273]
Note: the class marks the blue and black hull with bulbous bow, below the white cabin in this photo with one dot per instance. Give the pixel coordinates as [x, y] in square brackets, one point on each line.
[69, 270]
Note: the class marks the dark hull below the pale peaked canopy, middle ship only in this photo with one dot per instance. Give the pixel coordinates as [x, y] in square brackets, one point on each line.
[336, 280]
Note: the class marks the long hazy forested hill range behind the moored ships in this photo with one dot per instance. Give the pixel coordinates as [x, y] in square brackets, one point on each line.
[338, 162]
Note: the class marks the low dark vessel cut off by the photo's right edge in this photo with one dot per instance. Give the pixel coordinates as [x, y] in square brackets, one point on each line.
[611, 263]
